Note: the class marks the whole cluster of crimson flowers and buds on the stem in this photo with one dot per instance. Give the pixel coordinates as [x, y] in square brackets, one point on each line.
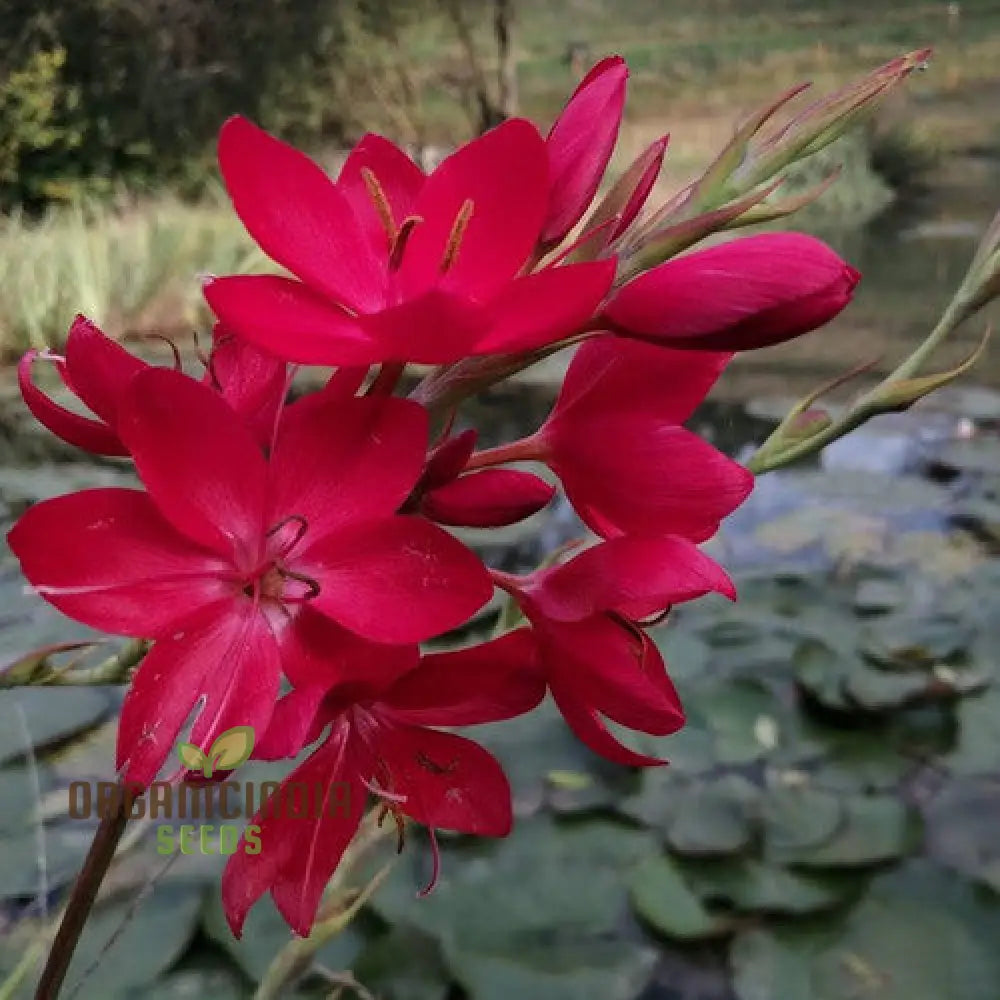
[288, 556]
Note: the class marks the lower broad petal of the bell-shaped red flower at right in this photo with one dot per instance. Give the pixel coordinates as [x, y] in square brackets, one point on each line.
[624, 474]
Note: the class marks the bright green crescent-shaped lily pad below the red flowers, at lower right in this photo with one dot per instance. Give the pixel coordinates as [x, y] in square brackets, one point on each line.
[662, 898]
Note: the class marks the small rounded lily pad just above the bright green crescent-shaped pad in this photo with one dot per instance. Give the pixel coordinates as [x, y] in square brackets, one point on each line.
[713, 818]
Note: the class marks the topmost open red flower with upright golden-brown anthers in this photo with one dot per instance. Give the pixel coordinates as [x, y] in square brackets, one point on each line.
[393, 266]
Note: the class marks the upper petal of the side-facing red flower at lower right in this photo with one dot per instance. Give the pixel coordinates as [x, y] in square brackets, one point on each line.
[628, 574]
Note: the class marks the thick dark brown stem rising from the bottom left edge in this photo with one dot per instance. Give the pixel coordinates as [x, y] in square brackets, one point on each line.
[81, 901]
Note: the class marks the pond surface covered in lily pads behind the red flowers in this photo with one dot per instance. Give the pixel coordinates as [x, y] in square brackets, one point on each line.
[837, 774]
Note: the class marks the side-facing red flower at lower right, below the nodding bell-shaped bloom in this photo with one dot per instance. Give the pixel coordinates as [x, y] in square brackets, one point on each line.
[597, 659]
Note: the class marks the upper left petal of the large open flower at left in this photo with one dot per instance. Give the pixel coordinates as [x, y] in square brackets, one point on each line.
[198, 460]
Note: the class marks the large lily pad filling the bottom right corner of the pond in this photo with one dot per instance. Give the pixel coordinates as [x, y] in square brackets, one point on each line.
[918, 935]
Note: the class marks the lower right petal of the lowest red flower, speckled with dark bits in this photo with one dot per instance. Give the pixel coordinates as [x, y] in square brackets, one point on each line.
[449, 782]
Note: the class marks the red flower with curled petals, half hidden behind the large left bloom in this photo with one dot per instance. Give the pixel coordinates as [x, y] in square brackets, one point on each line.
[98, 370]
